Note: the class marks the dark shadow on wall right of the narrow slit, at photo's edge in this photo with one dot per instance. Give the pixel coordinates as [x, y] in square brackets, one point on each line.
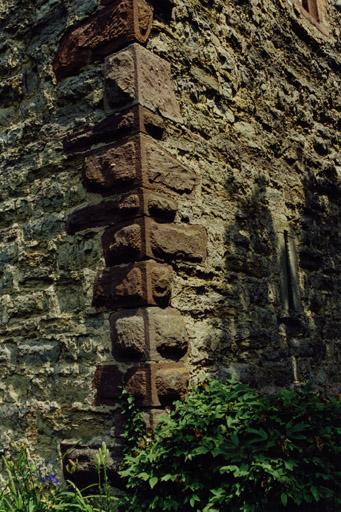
[319, 358]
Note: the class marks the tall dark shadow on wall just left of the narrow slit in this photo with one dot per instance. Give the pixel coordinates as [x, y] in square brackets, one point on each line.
[258, 352]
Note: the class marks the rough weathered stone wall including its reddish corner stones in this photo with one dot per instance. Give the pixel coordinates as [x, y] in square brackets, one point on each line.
[245, 181]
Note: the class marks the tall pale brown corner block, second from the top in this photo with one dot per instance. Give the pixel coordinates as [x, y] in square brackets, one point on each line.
[136, 75]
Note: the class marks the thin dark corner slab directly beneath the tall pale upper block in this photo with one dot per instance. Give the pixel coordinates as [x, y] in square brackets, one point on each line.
[136, 119]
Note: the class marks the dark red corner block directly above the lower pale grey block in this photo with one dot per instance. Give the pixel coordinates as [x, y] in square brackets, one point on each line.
[140, 284]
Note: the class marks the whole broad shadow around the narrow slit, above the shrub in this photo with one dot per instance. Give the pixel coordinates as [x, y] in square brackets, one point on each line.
[281, 315]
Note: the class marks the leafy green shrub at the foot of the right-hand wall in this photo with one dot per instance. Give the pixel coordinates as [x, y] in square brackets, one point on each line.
[226, 447]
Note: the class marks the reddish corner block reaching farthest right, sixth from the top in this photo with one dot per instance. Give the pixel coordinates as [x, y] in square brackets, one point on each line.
[144, 238]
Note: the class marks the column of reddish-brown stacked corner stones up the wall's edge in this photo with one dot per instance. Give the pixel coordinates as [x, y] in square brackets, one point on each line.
[139, 185]
